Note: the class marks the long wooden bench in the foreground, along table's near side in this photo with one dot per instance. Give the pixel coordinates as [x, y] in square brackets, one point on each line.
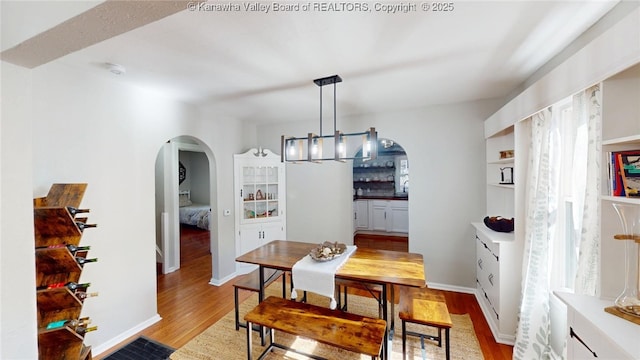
[356, 333]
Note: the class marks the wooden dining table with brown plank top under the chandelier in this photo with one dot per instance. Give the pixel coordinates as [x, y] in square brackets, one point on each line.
[369, 266]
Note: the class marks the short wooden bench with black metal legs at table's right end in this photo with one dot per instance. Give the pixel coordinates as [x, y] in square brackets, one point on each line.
[426, 307]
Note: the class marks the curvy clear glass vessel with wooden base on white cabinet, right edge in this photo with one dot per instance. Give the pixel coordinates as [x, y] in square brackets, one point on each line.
[628, 302]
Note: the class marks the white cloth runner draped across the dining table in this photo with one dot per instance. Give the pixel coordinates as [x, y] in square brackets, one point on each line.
[318, 276]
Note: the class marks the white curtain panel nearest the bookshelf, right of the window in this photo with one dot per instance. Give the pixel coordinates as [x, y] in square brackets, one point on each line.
[586, 110]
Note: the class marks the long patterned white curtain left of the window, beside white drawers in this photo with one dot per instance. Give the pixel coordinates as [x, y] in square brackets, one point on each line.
[532, 336]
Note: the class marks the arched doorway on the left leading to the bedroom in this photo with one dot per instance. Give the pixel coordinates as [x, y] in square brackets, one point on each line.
[188, 159]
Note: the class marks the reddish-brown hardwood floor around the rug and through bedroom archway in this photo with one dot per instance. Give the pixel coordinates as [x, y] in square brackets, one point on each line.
[188, 304]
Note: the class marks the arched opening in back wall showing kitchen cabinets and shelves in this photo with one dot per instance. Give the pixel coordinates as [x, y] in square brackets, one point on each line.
[381, 198]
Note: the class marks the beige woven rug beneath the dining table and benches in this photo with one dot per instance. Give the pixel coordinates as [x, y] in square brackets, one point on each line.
[222, 342]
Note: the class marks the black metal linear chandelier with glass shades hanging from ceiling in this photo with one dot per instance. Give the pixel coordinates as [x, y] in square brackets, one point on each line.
[317, 148]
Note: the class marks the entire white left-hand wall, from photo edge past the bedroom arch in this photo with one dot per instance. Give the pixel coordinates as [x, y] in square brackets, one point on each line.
[93, 128]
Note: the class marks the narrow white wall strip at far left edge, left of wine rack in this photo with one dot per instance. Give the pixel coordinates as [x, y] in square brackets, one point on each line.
[17, 259]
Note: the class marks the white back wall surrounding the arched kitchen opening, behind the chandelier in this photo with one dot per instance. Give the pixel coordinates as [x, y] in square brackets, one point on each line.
[445, 147]
